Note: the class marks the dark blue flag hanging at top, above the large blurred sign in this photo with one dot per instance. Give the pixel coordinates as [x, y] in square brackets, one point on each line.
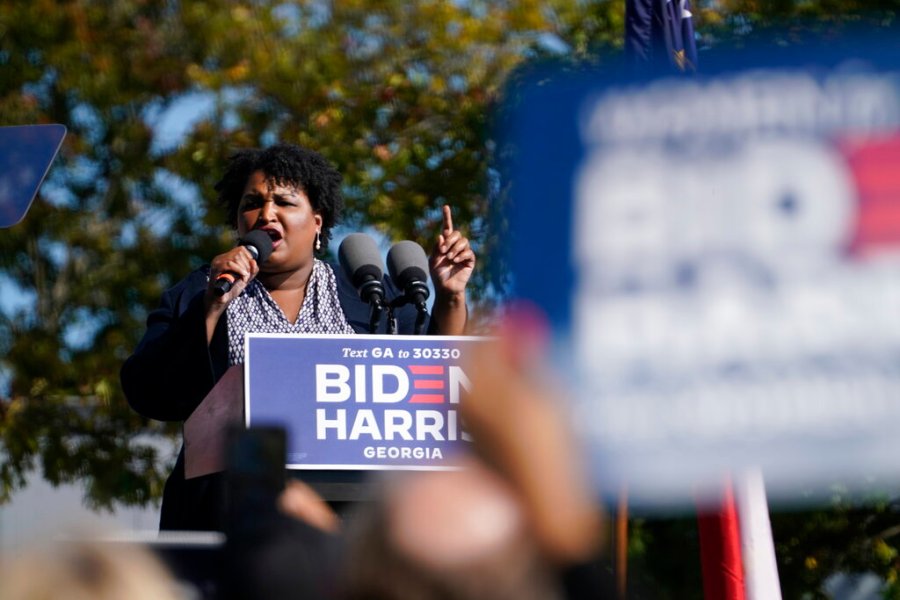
[660, 34]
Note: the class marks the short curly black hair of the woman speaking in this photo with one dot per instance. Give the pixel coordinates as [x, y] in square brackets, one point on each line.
[285, 164]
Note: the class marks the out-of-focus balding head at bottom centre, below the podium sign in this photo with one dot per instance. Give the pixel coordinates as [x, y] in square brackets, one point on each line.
[448, 535]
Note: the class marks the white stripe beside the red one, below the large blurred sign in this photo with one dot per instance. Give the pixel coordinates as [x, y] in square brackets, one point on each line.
[757, 546]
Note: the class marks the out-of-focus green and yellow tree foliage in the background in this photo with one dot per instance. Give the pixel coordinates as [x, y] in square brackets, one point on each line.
[398, 95]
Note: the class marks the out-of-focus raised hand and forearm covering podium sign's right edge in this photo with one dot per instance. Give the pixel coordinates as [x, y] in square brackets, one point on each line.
[517, 419]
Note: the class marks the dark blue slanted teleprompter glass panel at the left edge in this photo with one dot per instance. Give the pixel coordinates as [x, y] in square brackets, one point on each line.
[26, 153]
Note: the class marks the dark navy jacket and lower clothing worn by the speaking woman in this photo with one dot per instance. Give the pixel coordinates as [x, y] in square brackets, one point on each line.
[173, 369]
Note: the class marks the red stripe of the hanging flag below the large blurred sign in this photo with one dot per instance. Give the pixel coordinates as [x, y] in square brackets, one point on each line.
[720, 550]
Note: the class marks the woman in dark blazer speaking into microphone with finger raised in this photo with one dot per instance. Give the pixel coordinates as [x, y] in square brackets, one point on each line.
[292, 195]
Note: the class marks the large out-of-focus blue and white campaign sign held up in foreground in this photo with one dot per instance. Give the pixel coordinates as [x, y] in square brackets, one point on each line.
[719, 256]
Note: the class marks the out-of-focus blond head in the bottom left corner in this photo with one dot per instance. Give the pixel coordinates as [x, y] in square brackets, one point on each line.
[86, 570]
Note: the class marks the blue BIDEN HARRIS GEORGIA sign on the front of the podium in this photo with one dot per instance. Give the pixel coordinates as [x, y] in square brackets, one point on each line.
[360, 402]
